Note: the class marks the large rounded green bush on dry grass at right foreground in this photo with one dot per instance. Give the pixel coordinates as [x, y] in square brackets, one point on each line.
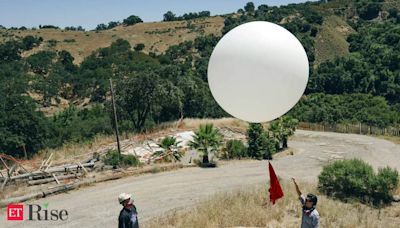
[355, 179]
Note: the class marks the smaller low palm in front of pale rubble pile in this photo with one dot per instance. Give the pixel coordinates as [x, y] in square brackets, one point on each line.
[170, 151]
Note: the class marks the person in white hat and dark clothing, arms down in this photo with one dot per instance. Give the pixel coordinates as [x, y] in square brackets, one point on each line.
[128, 215]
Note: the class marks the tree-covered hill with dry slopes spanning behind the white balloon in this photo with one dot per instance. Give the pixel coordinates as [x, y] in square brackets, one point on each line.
[54, 83]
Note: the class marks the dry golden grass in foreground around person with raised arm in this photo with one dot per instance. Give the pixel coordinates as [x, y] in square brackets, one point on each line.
[248, 208]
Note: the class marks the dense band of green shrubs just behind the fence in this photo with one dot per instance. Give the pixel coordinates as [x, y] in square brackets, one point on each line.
[345, 108]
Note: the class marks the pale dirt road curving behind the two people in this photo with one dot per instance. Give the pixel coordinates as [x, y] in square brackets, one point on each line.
[155, 194]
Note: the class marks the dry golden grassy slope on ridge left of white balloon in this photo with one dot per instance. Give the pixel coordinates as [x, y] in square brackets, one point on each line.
[156, 36]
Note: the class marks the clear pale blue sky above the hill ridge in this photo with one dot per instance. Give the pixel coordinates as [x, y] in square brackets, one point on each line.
[89, 13]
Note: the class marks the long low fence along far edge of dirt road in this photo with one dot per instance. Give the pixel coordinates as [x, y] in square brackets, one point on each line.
[362, 129]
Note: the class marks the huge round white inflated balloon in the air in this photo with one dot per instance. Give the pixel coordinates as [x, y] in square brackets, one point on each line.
[258, 71]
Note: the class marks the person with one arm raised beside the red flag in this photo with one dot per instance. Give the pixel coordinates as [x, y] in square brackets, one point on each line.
[310, 215]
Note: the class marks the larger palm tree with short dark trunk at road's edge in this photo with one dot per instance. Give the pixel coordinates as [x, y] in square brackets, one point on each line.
[206, 139]
